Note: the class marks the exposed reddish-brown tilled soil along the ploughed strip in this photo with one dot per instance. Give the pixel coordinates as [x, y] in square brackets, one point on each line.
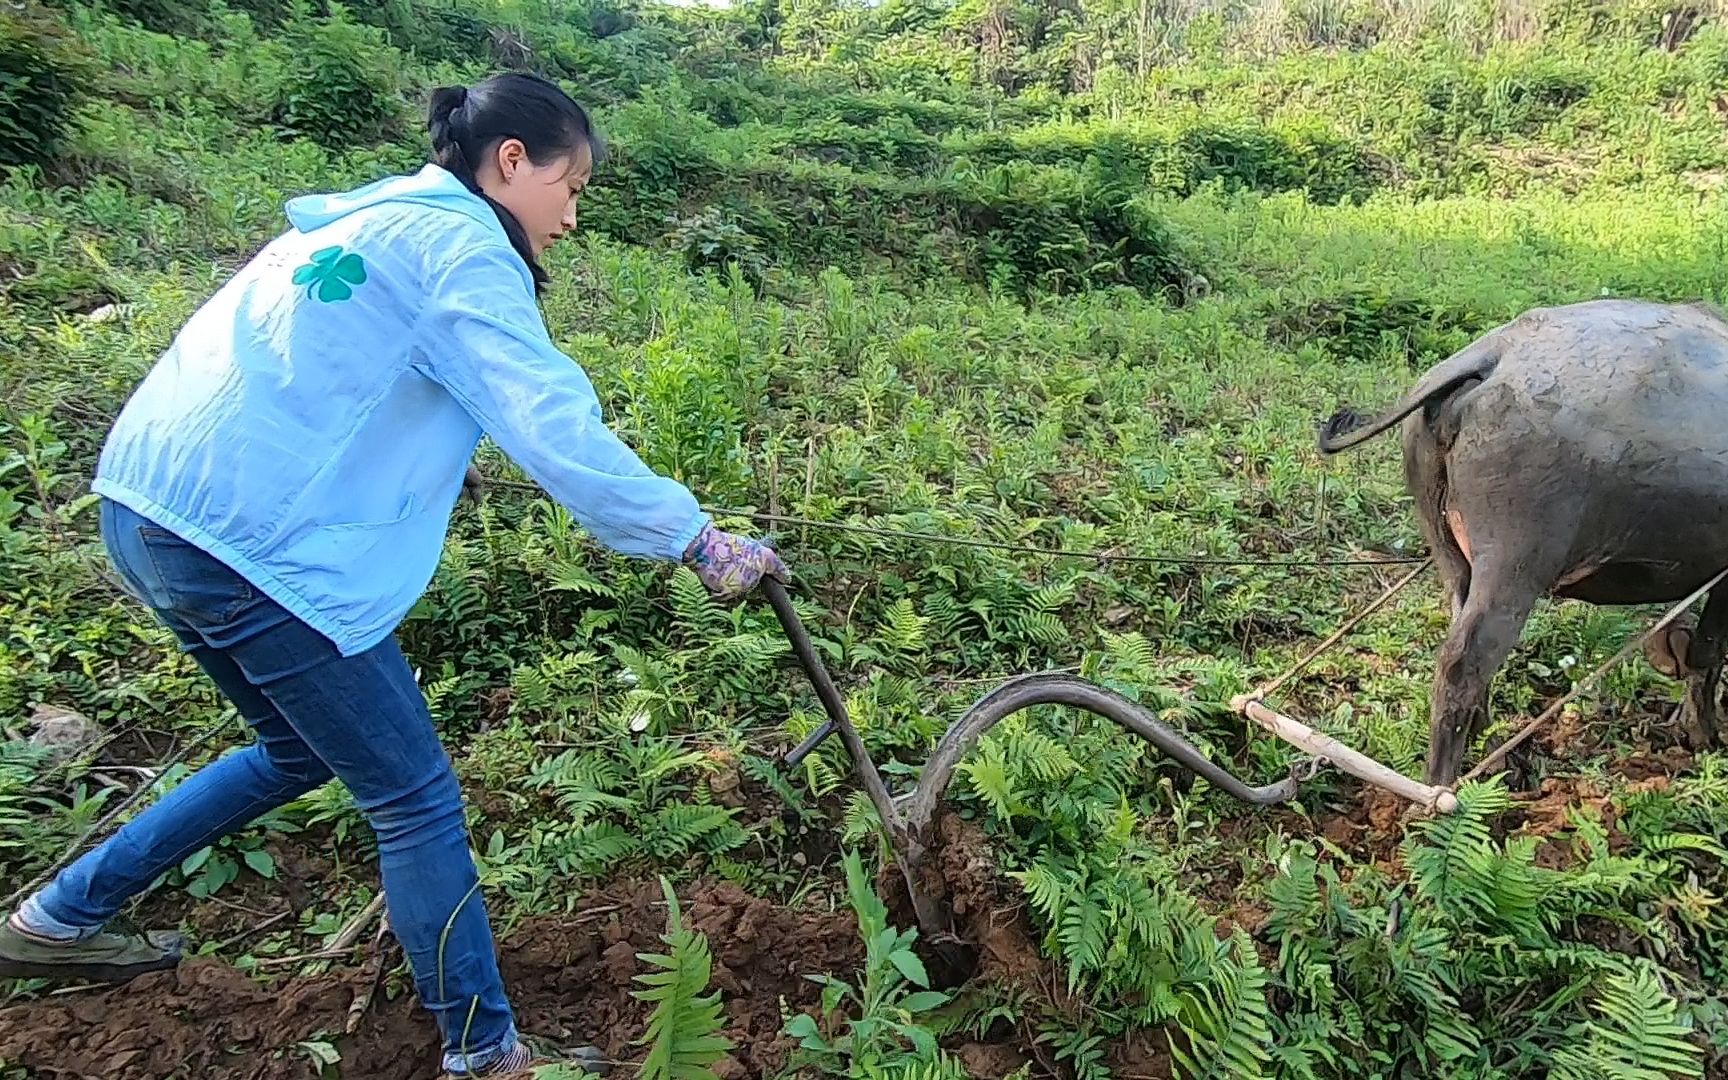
[571, 975]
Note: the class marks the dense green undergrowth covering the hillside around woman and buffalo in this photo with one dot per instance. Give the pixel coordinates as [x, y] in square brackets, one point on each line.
[1031, 274]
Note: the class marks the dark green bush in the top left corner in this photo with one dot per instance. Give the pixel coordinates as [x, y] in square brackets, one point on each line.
[42, 77]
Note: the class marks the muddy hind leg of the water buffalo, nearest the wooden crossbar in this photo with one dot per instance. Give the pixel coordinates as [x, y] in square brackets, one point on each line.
[1483, 635]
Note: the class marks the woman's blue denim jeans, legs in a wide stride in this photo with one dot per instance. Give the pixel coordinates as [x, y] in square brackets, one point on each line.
[317, 715]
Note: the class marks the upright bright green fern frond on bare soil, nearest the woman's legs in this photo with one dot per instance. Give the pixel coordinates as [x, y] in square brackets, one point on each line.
[683, 1031]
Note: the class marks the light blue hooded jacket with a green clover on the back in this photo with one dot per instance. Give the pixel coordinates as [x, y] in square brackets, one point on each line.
[312, 424]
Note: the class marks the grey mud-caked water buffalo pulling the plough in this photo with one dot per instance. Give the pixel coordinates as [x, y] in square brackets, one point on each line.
[1577, 452]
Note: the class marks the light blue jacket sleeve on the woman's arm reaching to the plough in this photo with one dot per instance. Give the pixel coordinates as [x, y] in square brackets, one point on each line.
[485, 341]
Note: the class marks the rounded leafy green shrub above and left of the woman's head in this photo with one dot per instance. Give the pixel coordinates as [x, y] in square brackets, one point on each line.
[341, 89]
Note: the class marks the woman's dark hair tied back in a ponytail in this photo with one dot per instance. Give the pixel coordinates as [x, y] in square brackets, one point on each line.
[469, 122]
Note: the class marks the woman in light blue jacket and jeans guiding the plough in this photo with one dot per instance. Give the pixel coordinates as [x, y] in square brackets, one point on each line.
[279, 490]
